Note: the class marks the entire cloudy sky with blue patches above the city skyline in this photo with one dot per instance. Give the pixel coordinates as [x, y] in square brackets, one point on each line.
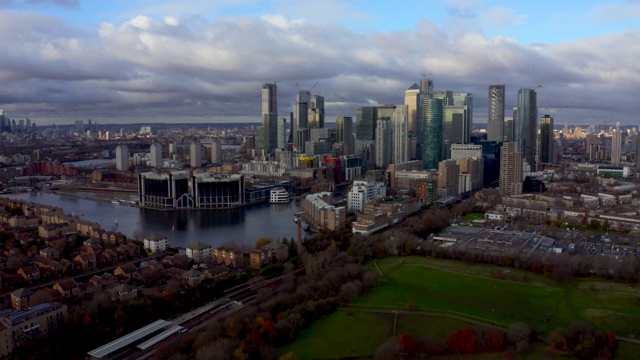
[123, 61]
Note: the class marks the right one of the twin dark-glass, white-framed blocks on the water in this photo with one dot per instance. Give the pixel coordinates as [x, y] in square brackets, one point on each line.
[212, 191]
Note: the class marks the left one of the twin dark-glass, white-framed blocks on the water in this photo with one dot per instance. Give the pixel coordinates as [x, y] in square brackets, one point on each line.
[164, 190]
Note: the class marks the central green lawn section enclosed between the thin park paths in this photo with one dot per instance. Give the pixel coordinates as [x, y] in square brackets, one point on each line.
[482, 298]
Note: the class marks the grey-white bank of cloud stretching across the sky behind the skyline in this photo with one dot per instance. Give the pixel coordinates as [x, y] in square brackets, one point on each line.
[152, 67]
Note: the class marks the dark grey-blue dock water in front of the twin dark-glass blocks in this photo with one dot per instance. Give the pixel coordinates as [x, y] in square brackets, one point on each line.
[242, 226]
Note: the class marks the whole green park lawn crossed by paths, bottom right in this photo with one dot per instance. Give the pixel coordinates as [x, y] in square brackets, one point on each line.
[447, 295]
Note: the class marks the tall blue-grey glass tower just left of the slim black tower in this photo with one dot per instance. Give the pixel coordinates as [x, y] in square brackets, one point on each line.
[526, 118]
